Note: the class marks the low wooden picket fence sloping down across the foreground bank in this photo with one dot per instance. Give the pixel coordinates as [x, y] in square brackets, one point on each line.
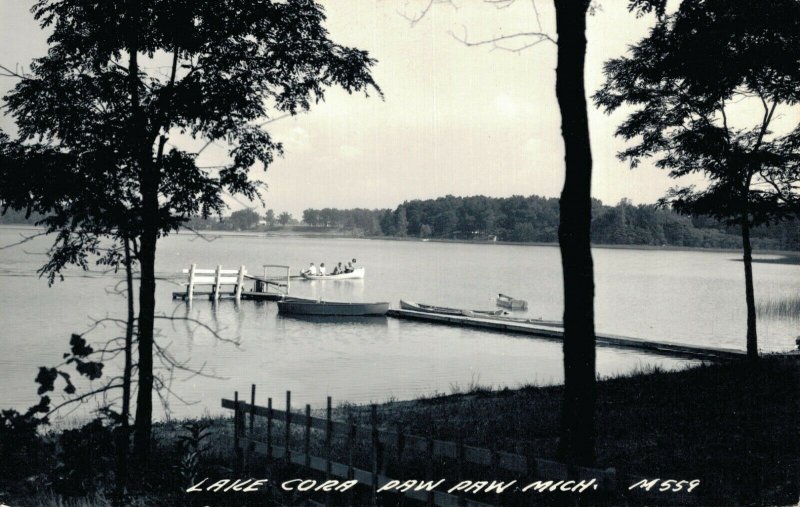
[244, 442]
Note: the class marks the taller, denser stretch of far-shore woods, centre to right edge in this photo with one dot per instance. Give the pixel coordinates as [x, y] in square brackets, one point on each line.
[535, 219]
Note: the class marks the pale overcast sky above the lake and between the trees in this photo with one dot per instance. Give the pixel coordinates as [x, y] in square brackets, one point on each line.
[455, 120]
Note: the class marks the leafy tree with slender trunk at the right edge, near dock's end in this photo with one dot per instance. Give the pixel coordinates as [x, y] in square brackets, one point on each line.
[687, 115]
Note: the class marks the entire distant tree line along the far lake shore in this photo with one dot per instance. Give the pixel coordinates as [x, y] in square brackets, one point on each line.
[515, 219]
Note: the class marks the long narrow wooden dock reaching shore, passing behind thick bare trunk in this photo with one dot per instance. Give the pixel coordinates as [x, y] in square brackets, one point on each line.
[662, 348]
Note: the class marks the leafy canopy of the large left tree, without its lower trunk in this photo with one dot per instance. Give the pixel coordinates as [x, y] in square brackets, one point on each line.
[208, 70]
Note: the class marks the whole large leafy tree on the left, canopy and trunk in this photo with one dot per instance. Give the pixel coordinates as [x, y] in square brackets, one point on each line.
[227, 61]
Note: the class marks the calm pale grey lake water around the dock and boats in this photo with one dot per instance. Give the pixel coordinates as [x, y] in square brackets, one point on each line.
[684, 297]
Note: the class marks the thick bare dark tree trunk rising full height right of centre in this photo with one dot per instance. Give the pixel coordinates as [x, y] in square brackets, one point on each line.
[577, 417]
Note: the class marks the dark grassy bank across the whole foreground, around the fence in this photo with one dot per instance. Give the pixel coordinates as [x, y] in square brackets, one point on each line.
[732, 426]
